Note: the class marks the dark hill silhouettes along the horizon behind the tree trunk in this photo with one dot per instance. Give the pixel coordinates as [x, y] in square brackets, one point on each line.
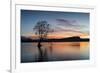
[69, 39]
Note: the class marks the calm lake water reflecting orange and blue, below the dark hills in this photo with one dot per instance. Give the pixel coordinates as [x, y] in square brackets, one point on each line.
[55, 51]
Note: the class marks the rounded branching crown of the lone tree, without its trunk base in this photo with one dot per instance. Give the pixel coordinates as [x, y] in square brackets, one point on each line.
[42, 28]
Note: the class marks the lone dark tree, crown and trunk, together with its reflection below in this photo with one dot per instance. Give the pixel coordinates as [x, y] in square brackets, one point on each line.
[41, 29]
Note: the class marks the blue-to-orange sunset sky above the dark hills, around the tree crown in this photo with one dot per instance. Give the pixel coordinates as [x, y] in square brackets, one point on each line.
[64, 24]
